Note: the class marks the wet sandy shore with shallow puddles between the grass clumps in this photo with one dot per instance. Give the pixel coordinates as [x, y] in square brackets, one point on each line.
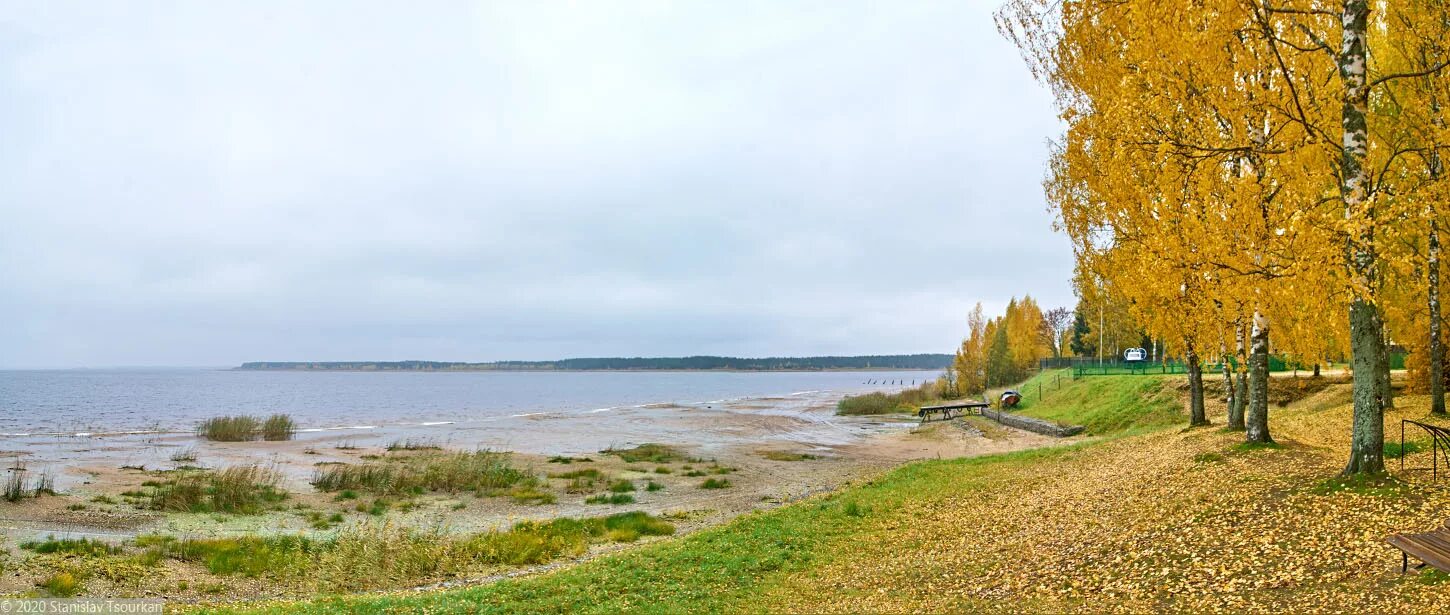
[772, 450]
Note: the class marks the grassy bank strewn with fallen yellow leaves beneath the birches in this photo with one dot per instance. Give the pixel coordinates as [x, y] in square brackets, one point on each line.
[1149, 520]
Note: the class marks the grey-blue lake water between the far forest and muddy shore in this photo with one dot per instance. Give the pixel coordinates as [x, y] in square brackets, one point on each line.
[176, 400]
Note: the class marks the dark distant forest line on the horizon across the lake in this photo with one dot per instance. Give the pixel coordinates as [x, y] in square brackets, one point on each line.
[887, 362]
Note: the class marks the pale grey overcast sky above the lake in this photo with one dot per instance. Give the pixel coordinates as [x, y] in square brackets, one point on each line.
[205, 183]
